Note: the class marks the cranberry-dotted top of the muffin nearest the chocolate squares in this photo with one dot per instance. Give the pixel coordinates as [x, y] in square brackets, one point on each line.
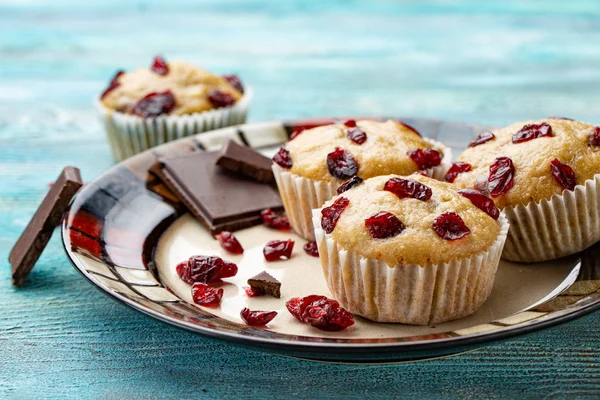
[340, 151]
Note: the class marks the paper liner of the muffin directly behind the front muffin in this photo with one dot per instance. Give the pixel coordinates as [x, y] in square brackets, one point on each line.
[301, 195]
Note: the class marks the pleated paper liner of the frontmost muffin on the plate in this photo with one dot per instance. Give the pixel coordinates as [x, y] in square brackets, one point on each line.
[408, 294]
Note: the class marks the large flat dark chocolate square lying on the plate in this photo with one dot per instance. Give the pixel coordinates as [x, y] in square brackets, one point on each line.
[215, 197]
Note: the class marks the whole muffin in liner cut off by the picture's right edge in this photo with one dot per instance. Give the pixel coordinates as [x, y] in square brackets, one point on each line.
[543, 174]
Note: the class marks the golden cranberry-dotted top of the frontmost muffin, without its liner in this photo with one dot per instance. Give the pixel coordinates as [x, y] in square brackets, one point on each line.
[411, 220]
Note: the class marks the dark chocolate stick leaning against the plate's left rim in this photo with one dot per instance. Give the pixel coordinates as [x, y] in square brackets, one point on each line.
[36, 235]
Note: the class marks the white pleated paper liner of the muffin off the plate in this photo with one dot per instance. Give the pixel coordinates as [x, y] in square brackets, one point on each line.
[130, 134]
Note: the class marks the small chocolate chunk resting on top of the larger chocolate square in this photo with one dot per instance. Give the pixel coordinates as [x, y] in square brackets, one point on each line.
[245, 161]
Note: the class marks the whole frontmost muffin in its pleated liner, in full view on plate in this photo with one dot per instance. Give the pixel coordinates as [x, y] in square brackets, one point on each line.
[410, 250]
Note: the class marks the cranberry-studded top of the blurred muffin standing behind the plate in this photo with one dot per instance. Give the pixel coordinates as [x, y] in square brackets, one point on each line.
[175, 88]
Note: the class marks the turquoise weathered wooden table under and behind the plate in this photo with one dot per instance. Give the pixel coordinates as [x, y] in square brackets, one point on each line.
[492, 62]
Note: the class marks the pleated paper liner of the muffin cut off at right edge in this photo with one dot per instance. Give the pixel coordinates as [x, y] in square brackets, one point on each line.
[563, 225]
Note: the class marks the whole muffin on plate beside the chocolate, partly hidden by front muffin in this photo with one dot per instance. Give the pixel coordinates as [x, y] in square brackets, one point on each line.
[310, 168]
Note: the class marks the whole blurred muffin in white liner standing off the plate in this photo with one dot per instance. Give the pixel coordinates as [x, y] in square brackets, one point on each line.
[147, 107]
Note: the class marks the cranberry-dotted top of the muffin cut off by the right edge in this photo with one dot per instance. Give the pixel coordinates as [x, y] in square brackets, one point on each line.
[530, 161]
